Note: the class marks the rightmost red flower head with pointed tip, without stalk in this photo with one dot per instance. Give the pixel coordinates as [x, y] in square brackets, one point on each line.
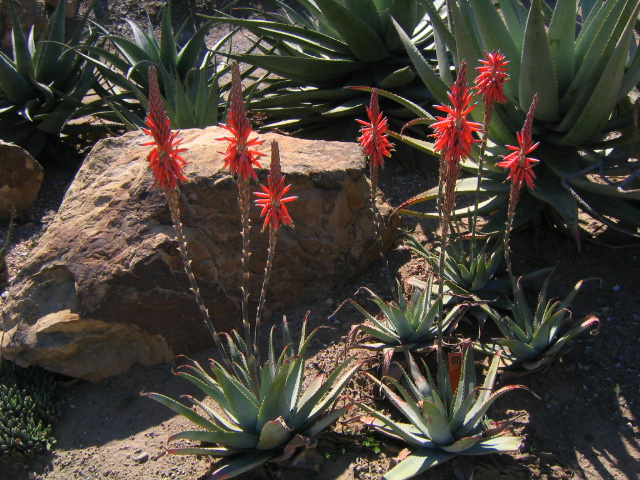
[517, 162]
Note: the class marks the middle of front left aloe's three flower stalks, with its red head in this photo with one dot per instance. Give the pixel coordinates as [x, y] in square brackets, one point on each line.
[241, 160]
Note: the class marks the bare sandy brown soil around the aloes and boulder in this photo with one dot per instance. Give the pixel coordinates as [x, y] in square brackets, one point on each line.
[579, 418]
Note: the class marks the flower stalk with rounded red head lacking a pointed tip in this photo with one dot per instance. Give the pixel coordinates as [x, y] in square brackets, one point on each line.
[489, 83]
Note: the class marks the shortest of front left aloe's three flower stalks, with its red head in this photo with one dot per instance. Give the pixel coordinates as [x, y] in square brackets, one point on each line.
[274, 211]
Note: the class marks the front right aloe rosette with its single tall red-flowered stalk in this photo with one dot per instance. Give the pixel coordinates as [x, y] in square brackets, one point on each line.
[446, 418]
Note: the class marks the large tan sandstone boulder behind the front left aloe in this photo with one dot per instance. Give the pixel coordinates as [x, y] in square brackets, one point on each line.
[105, 287]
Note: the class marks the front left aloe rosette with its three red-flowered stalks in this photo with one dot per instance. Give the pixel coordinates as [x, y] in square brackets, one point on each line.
[265, 409]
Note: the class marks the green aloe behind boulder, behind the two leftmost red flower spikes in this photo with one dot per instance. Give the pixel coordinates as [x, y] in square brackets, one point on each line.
[190, 79]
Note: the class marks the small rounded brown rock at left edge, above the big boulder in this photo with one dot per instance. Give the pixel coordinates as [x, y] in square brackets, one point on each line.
[20, 179]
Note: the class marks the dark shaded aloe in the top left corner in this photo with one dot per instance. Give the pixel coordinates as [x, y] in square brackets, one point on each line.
[43, 84]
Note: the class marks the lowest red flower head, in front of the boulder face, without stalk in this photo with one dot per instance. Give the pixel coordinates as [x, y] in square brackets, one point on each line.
[272, 199]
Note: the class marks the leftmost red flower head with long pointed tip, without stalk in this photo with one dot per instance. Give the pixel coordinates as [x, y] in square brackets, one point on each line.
[164, 159]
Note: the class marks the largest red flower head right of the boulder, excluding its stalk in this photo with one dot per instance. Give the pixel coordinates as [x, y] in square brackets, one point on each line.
[454, 133]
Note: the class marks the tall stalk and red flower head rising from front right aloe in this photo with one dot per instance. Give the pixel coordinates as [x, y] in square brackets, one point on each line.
[454, 138]
